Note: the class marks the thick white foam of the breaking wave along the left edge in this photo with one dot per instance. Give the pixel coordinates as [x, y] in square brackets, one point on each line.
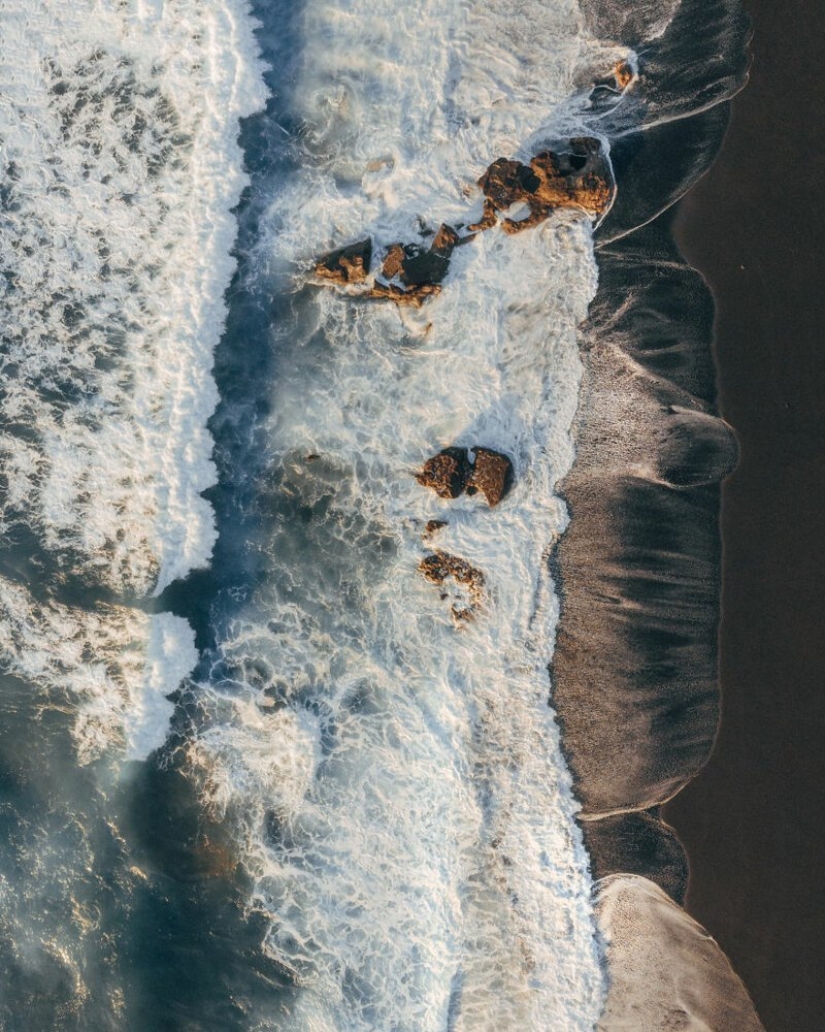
[120, 167]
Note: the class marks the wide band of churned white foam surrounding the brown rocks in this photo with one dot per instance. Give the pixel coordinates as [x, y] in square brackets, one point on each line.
[398, 779]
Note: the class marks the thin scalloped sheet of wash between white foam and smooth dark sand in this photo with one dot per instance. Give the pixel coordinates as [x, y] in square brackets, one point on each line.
[636, 668]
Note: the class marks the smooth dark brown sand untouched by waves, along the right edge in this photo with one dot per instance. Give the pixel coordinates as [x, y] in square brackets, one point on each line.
[752, 821]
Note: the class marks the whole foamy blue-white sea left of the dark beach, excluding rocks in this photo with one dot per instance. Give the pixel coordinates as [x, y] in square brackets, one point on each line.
[260, 772]
